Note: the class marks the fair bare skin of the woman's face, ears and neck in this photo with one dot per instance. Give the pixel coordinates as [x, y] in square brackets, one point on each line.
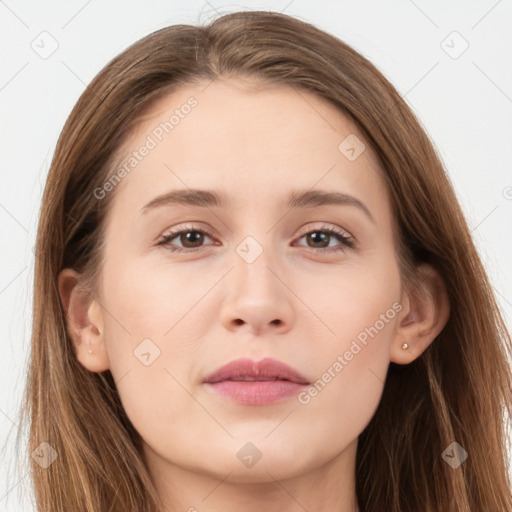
[254, 143]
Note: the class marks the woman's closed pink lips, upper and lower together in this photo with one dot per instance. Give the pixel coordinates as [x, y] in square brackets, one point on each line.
[274, 380]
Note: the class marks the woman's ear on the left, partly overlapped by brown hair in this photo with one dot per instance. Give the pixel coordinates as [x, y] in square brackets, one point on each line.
[84, 322]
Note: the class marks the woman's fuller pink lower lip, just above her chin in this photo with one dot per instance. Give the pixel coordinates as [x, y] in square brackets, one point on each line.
[257, 392]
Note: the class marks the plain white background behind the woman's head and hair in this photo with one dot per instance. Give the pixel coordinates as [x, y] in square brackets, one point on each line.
[464, 103]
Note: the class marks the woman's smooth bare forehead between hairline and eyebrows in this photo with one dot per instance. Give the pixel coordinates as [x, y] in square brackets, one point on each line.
[254, 140]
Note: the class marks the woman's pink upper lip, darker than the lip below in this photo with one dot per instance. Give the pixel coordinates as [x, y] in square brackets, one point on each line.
[267, 367]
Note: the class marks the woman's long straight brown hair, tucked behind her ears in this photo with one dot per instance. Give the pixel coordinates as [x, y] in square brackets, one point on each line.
[458, 390]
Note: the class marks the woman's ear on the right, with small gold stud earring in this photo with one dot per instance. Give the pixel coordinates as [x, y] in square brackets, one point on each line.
[423, 316]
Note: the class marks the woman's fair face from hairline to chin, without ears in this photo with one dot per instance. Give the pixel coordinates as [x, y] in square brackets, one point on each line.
[251, 277]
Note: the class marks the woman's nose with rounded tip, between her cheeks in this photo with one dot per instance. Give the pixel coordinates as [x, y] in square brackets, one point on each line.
[258, 300]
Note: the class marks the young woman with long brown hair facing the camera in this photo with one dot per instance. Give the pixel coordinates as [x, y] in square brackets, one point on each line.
[255, 290]
